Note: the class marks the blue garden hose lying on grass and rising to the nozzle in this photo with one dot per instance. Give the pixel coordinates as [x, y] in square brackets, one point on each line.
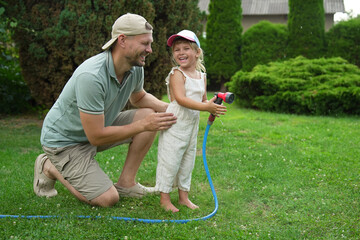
[148, 220]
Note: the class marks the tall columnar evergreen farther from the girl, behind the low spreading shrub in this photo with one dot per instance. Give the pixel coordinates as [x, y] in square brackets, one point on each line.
[306, 28]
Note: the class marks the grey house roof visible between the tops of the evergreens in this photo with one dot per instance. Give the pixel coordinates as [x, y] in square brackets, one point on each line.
[275, 7]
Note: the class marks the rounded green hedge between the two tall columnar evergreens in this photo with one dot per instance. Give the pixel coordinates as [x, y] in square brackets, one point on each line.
[262, 43]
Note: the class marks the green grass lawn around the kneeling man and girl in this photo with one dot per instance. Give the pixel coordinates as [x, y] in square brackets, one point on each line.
[276, 176]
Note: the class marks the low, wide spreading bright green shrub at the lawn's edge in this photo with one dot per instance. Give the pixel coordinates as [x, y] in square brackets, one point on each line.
[302, 86]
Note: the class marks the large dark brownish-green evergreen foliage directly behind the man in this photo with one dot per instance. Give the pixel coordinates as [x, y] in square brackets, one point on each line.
[54, 37]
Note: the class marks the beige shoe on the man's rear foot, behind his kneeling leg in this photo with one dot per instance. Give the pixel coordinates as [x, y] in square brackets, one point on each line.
[43, 186]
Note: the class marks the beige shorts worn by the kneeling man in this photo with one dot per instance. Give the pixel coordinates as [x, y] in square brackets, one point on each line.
[76, 163]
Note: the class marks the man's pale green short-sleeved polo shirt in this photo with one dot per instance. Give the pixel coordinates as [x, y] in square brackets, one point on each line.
[93, 88]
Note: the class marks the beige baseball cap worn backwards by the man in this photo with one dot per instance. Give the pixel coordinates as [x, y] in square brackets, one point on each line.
[129, 24]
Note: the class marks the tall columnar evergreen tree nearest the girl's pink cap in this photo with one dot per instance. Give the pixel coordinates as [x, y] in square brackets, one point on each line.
[223, 40]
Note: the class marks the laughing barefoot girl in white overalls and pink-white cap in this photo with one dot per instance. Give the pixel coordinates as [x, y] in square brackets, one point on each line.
[186, 85]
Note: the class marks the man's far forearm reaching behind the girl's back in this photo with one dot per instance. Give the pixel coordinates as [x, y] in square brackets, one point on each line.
[143, 99]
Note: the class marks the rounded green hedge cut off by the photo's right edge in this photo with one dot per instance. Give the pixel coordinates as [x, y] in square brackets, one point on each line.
[344, 40]
